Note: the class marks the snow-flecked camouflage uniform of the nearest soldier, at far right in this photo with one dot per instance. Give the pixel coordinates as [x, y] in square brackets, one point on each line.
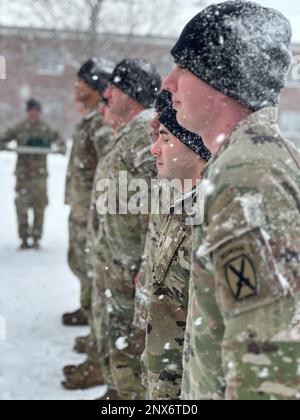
[241, 342]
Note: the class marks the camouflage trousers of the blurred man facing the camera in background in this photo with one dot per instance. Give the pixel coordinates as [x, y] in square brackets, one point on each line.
[31, 194]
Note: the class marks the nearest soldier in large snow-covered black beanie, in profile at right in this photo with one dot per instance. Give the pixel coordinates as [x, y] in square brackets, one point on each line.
[232, 61]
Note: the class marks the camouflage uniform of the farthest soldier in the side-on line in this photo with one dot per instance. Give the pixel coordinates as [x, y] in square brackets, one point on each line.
[89, 145]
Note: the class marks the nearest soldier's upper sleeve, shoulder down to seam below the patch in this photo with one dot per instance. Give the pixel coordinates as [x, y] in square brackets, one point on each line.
[252, 236]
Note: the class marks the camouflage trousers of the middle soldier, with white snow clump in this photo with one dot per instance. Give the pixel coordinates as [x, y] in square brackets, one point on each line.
[126, 342]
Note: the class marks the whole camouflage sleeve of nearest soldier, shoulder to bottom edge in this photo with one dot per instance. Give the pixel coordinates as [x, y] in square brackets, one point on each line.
[252, 238]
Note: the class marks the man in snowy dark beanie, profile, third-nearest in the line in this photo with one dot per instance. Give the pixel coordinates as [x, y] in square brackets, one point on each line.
[119, 239]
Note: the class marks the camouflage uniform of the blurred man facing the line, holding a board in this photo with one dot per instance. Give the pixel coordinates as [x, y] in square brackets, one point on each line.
[31, 172]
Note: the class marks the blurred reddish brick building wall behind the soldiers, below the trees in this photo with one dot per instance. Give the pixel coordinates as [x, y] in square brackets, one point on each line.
[21, 49]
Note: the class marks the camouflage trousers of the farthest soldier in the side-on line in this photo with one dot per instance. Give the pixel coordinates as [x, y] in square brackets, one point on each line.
[79, 260]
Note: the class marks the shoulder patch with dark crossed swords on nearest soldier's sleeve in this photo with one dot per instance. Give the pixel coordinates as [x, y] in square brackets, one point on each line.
[241, 278]
